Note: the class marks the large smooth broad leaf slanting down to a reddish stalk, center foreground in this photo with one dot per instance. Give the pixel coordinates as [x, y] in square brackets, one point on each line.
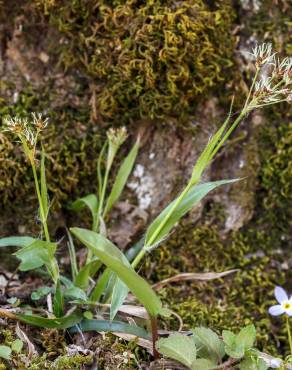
[113, 258]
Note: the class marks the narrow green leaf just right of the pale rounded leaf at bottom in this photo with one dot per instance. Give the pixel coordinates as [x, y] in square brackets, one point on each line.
[211, 341]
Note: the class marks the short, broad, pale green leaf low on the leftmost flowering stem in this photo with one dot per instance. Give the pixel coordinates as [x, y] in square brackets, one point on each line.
[35, 255]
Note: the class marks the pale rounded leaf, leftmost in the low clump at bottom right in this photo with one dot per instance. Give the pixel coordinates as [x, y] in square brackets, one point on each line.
[178, 347]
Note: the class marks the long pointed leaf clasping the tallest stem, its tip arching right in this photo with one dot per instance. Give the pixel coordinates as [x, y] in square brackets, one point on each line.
[193, 197]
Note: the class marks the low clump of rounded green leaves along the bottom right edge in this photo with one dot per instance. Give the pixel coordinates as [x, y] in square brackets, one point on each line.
[204, 350]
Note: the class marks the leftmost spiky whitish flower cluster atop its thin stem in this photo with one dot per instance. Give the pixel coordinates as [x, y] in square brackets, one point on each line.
[28, 130]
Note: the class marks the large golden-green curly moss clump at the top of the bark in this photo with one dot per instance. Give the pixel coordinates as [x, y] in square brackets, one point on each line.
[145, 58]
